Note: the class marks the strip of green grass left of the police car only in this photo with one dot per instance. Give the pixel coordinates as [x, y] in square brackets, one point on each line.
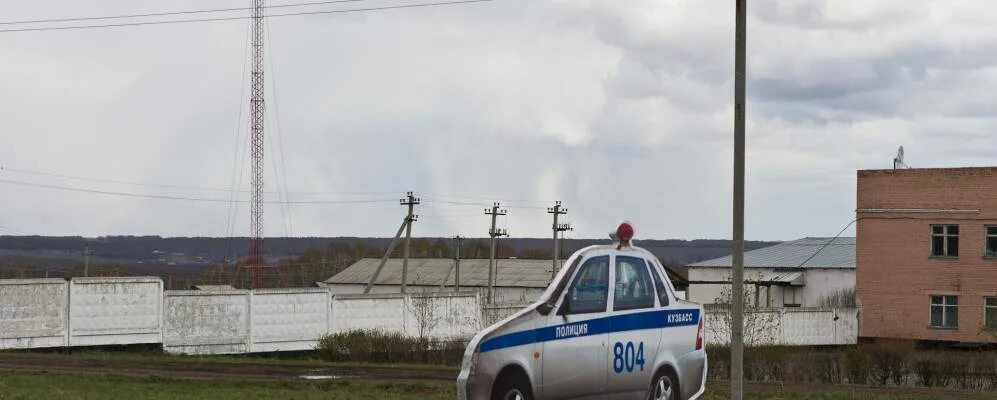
[27, 385]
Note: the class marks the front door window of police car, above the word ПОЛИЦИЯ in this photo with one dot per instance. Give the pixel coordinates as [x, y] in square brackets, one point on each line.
[590, 288]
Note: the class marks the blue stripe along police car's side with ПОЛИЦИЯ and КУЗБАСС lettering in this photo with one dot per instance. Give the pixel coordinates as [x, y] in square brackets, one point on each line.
[596, 326]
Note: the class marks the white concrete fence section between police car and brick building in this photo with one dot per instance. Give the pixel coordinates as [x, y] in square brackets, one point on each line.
[787, 327]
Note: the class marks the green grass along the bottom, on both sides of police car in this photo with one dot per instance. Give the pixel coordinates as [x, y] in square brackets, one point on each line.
[86, 386]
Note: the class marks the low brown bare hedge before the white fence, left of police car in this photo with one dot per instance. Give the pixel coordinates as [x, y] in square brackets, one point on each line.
[382, 347]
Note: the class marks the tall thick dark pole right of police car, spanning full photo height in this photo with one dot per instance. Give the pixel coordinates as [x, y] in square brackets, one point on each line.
[737, 277]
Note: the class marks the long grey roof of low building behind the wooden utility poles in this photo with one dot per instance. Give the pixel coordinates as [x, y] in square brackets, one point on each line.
[439, 271]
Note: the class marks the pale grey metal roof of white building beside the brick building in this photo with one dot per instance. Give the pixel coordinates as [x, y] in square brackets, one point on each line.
[802, 253]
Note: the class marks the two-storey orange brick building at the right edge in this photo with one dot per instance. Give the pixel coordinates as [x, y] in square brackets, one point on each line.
[926, 254]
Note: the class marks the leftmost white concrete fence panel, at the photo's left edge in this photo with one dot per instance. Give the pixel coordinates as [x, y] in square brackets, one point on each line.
[33, 313]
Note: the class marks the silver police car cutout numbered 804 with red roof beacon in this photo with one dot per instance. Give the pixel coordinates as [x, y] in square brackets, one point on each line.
[608, 327]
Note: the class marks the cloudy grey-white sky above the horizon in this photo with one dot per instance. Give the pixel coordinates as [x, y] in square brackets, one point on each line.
[622, 110]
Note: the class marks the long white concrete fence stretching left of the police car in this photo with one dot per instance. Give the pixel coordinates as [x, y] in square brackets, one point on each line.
[38, 313]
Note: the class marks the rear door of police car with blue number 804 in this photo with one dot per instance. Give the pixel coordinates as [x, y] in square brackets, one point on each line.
[635, 328]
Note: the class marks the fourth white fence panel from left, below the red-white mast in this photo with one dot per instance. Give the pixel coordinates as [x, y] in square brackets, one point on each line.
[289, 319]
